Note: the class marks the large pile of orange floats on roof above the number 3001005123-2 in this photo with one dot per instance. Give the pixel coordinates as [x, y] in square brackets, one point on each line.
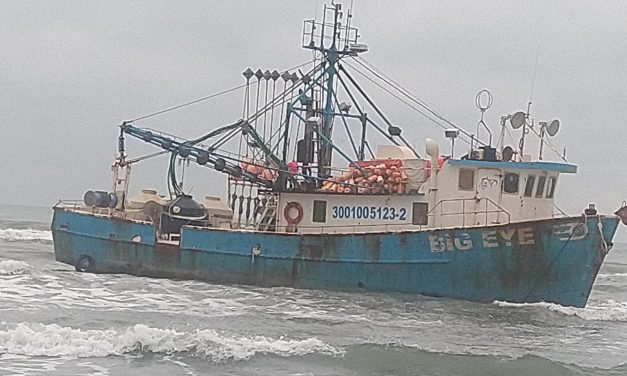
[374, 177]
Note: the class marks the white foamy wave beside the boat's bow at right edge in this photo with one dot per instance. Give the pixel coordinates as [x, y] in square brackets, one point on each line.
[607, 310]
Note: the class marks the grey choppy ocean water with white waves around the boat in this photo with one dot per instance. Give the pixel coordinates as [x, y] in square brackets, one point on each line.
[55, 321]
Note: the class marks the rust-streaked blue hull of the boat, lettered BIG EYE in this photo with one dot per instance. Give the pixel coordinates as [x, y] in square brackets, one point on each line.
[552, 260]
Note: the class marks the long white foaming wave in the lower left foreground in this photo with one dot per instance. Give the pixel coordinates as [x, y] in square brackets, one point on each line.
[35, 339]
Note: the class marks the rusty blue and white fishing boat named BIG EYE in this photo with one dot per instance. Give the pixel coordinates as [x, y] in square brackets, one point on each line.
[305, 210]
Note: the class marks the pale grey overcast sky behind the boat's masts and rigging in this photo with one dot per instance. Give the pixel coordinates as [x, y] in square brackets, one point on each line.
[71, 71]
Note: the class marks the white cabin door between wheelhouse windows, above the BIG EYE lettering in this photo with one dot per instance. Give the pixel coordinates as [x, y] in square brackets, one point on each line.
[487, 203]
